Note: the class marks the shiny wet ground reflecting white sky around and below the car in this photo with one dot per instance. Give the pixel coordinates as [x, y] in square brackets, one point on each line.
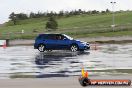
[25, 62]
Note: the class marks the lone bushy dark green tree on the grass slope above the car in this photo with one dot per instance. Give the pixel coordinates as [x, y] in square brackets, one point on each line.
[52, 23]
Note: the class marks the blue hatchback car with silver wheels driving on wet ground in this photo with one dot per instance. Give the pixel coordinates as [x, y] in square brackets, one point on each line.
[51, 42]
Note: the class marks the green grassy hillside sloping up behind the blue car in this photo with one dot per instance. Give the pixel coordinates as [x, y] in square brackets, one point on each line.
[76, 26]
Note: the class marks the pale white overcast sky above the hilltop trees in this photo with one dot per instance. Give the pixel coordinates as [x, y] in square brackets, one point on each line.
[27, 6]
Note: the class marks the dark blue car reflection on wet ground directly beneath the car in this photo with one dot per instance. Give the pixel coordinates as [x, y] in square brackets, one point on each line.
[47, 58]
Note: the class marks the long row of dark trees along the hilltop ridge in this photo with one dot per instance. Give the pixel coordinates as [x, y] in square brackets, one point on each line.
[23, 16]
